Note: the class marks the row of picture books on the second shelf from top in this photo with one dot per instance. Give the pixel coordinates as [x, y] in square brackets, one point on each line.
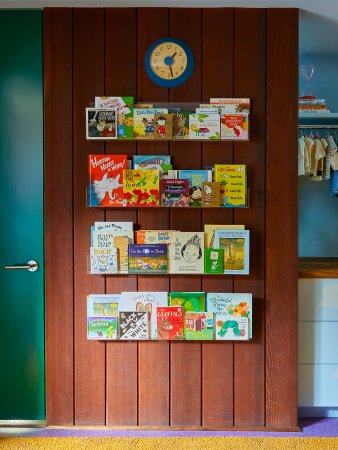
[153, 182]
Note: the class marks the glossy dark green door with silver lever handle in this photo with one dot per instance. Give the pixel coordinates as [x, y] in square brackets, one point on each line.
[22, 383]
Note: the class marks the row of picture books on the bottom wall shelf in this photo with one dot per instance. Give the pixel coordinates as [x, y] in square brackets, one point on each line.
[169, 316]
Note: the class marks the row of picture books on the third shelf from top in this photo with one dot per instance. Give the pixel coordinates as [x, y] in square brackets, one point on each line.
[117, 249]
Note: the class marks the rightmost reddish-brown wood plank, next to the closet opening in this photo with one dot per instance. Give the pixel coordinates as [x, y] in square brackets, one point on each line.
[281, 217]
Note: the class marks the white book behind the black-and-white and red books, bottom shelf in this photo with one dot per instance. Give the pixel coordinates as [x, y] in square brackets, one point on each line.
[145, 301]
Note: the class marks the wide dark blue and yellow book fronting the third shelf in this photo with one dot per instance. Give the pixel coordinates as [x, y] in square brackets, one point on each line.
[147, 258]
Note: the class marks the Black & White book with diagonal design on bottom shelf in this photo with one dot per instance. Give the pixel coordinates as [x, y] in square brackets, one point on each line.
[134, 325]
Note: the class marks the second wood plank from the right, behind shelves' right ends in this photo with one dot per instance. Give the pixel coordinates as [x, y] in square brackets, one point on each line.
[249, 357]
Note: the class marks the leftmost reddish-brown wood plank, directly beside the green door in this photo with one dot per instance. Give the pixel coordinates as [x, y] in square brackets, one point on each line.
[58, 215]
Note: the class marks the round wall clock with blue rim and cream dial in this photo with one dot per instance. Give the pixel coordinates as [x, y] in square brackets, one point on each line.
[169, 62]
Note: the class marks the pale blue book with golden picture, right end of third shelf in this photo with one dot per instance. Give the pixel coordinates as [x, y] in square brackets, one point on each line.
[235, 245]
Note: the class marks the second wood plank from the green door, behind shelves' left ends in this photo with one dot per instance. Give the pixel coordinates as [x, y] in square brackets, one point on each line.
[88, 57]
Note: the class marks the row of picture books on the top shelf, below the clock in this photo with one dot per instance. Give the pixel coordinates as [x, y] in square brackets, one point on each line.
[120, 118]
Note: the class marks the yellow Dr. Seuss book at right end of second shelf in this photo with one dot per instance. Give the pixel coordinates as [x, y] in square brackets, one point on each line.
[233, 184]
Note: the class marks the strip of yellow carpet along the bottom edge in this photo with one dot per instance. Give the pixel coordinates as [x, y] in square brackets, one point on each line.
[170, 443]
